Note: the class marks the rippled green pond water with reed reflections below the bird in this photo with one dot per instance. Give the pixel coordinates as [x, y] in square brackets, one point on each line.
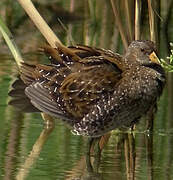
[30, 151]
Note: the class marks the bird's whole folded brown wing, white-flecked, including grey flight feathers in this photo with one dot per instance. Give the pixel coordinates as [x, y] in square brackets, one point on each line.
[75, 80]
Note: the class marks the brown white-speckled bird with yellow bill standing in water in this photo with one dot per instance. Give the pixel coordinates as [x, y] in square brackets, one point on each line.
[95, 90]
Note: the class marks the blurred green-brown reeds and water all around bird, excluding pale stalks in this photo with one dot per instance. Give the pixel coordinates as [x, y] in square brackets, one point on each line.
[138, 155]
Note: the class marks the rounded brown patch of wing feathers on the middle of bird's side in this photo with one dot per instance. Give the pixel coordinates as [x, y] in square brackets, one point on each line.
[82, 89]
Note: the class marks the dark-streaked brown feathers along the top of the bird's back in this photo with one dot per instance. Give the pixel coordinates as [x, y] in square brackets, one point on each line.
[80, 53]
